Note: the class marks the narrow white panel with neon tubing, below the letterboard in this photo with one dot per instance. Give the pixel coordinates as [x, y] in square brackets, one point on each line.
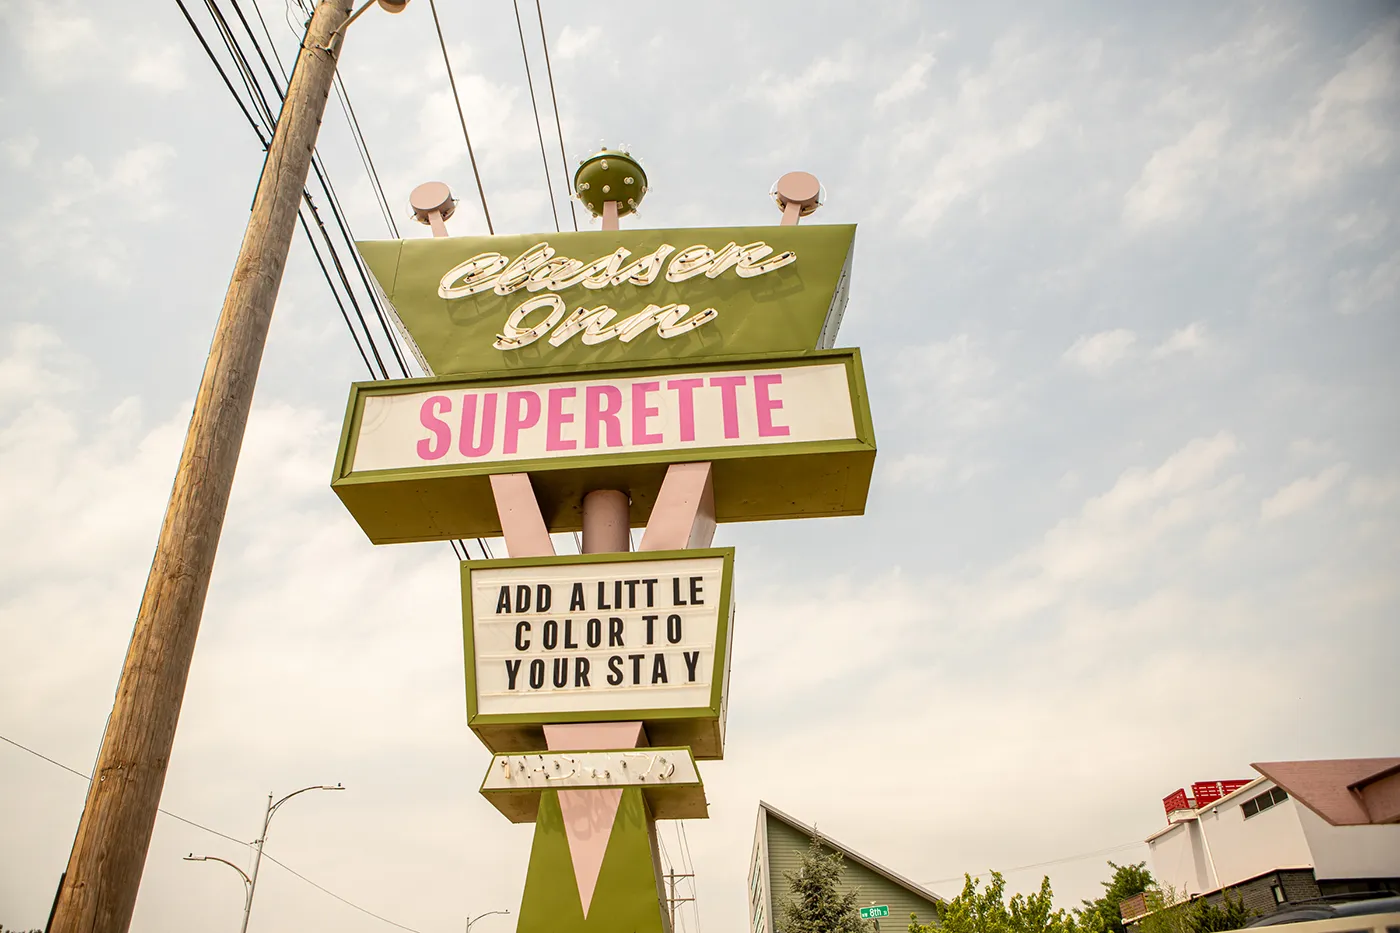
[643, 768]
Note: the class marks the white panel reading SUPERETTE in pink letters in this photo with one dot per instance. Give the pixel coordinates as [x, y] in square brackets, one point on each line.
[677, 411]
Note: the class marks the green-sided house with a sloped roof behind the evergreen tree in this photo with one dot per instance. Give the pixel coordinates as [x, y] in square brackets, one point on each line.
[779, 843]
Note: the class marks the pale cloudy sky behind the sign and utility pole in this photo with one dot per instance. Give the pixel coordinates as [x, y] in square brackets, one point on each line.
[1128, 286]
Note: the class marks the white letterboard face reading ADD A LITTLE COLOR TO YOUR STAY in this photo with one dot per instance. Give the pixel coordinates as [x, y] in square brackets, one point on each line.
[577, 638]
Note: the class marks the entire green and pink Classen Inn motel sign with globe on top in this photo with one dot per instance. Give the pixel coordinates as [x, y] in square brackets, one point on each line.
[687, 378]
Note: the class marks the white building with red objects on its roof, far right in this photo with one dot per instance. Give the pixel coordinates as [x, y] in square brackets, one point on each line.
[1258, 843]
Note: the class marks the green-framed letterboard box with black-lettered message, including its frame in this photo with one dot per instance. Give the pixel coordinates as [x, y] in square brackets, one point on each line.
[612, 638]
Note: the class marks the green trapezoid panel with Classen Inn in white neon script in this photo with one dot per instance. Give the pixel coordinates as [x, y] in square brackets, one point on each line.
[552, 302]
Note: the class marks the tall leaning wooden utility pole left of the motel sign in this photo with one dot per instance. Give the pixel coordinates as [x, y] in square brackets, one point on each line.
[104, 872]
